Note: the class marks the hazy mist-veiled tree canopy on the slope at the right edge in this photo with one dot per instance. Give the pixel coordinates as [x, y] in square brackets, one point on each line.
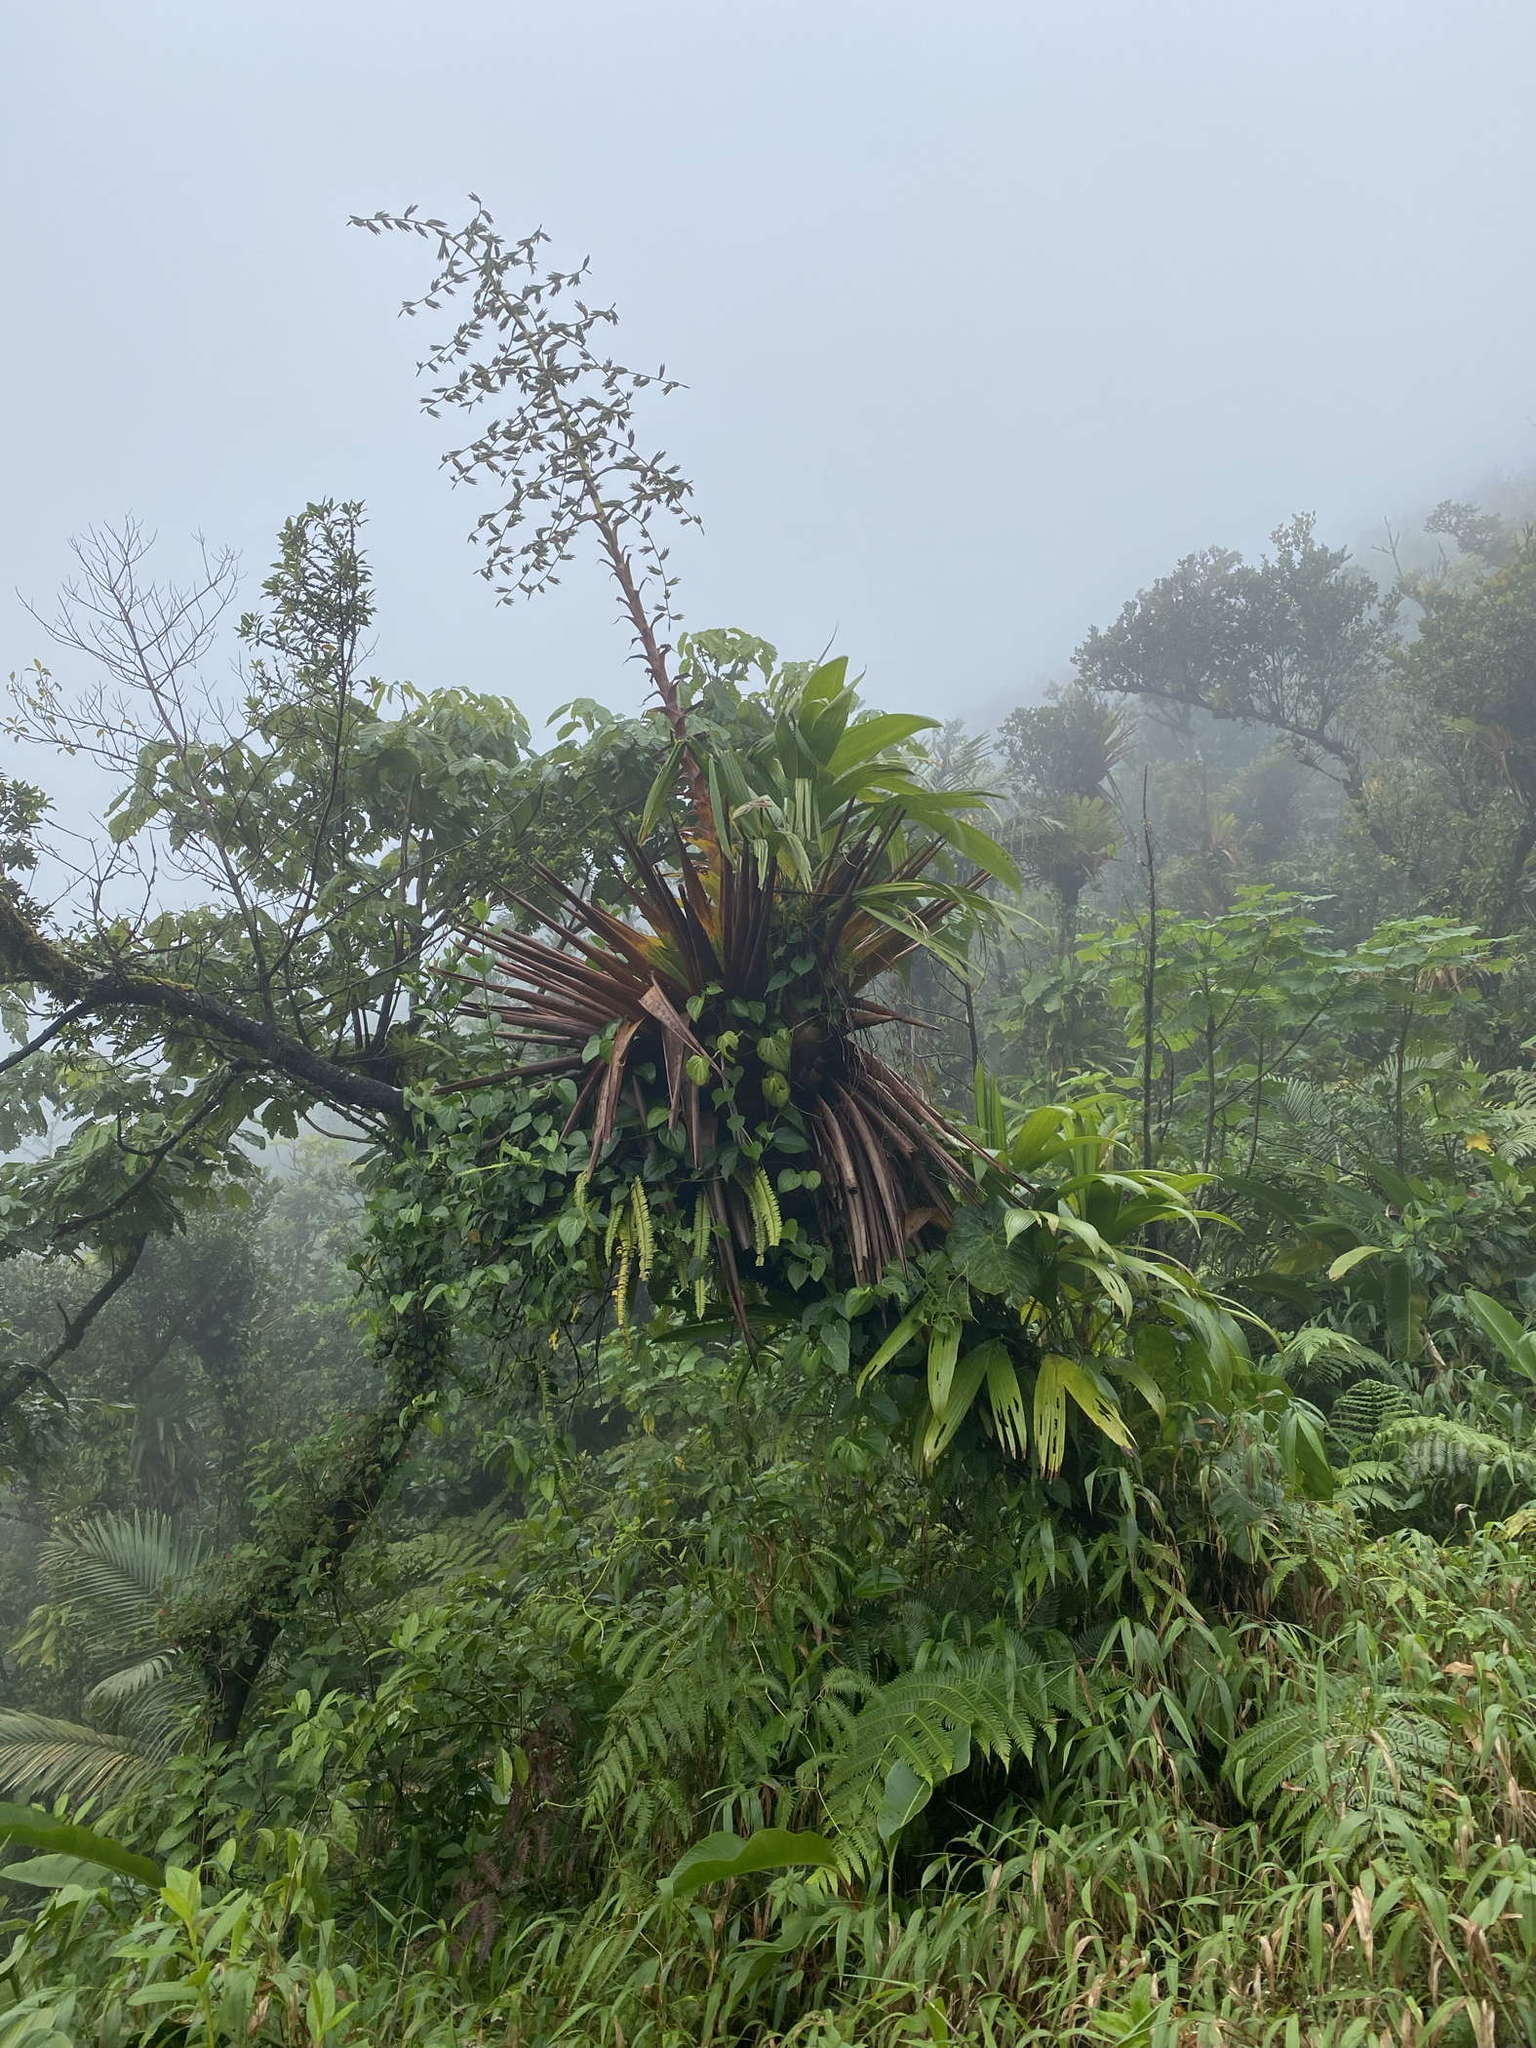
[1414, 703]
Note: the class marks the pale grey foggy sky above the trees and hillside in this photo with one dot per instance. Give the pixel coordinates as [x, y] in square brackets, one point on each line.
[988, 310]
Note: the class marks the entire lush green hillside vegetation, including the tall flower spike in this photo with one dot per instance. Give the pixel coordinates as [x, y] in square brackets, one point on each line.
[767, 1371]
